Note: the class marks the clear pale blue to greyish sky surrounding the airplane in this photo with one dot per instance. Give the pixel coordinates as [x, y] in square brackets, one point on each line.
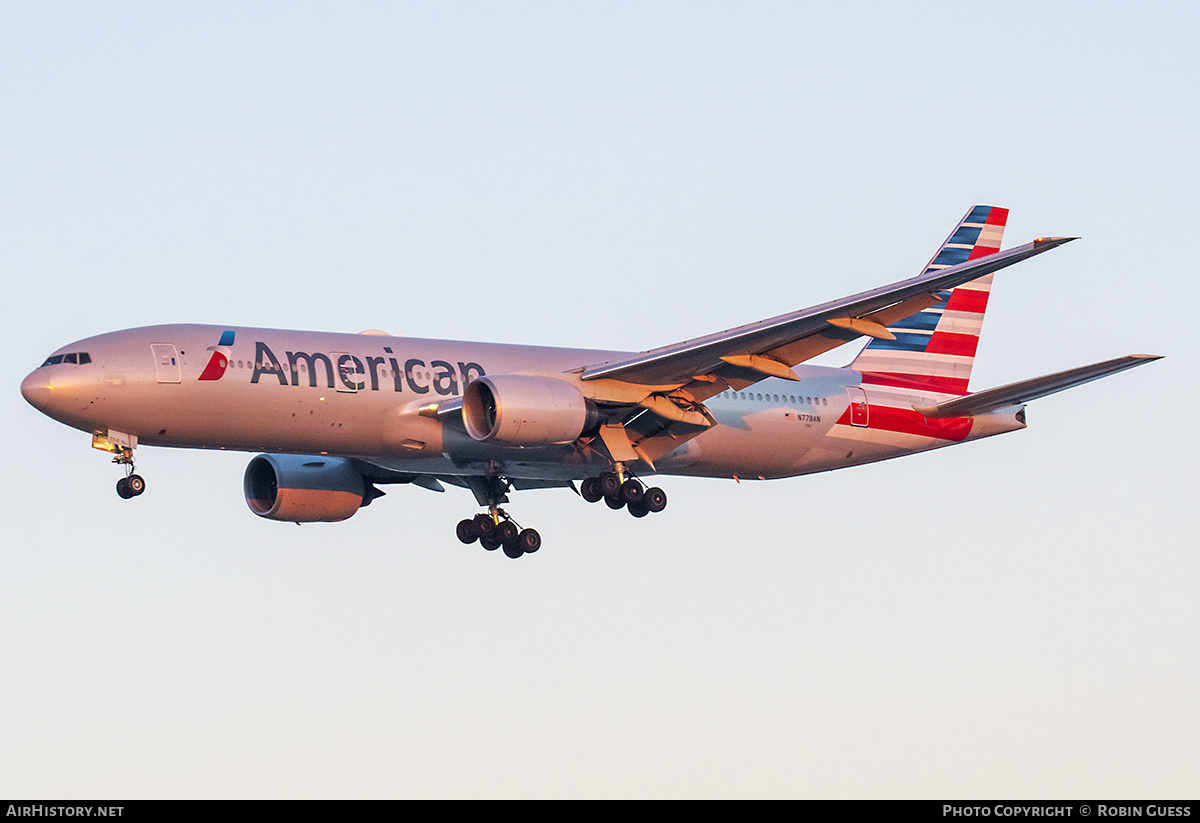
[1017, 617]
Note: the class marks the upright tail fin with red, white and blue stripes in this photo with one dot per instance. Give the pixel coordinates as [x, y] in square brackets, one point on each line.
[934, 350]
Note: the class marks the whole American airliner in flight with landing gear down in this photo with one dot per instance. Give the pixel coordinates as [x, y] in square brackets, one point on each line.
[338, 416]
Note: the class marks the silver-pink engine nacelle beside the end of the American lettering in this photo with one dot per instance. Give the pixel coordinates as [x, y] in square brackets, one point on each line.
[526, 411]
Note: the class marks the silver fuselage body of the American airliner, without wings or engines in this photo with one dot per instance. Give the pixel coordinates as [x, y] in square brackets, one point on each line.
[361, 397]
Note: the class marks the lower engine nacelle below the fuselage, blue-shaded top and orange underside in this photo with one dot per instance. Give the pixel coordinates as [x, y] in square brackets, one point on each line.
[304, 489]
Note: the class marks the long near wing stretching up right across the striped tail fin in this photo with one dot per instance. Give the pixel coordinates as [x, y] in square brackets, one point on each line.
[770, 349]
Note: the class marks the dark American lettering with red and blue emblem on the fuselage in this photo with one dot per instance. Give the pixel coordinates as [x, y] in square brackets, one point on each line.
[349, 373]
